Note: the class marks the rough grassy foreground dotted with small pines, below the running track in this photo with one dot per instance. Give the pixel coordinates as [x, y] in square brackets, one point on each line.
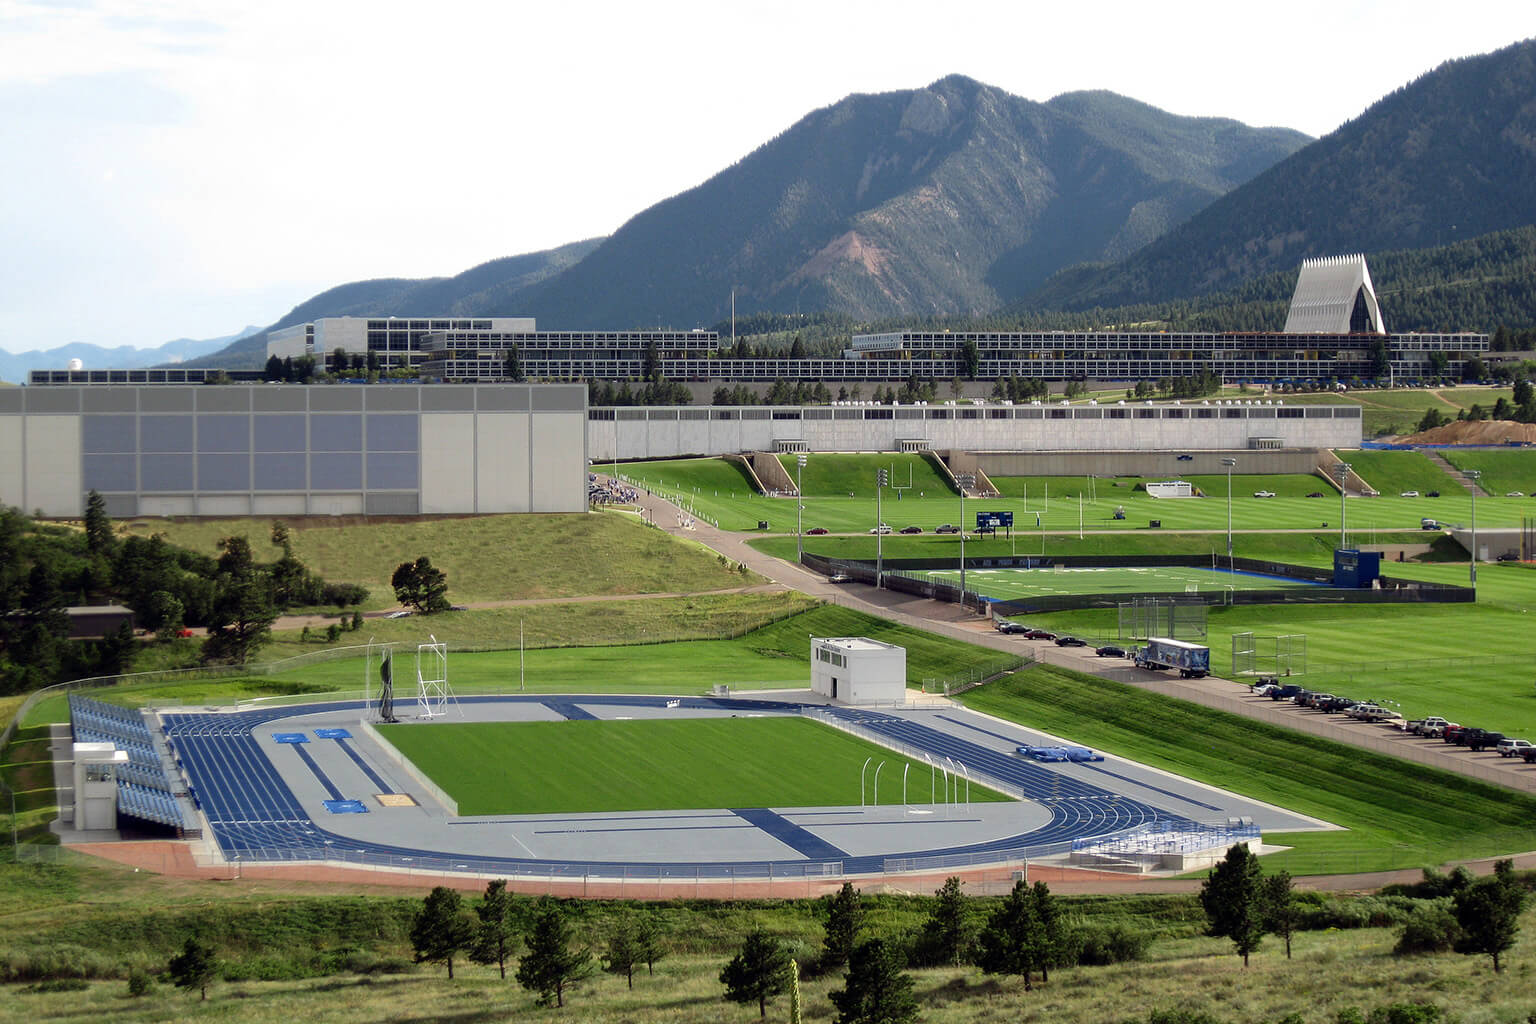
[343, 957]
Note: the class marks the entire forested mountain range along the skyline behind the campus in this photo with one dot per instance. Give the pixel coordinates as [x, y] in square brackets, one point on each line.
[961, 199]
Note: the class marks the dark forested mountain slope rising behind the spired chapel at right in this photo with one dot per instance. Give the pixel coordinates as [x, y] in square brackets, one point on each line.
[1448, 157]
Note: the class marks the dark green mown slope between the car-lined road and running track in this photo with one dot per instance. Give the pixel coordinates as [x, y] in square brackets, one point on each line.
[1397, 814]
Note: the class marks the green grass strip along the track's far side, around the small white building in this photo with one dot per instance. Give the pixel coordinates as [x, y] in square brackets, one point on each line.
[775, 656]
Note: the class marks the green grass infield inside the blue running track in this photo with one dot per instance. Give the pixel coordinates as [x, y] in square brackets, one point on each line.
[655, 765]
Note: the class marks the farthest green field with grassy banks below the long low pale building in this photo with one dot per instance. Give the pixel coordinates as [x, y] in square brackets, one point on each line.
[718, 491]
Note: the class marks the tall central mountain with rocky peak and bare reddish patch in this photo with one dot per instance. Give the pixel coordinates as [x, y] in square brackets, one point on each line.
[953, 199]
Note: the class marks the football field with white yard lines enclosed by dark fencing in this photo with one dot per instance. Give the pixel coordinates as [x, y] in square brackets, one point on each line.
[1153, 580]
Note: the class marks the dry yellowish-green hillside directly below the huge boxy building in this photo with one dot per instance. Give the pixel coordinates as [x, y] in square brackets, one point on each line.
[486, 558]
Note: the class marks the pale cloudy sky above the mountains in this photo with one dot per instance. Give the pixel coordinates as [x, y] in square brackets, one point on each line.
[185, 168]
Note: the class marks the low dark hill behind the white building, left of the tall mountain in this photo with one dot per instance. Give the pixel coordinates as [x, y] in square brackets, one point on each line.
[486, 291]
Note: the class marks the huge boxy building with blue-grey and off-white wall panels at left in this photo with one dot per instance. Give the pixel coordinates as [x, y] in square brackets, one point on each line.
[294, 451]
